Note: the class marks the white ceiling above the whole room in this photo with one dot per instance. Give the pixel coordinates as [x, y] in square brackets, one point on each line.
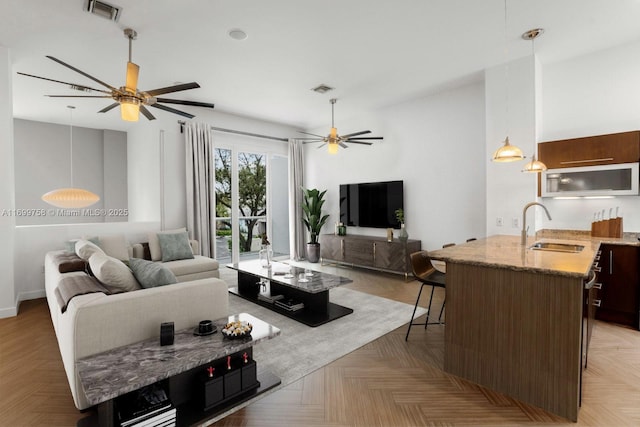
[374, 54]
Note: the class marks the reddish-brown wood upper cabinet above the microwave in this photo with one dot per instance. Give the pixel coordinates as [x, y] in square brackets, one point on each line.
[592, 150]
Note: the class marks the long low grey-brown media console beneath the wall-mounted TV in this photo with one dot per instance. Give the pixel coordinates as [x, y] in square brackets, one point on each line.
[369, 252]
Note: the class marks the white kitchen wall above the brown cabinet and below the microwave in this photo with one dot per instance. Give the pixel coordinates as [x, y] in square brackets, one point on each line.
[592, 95]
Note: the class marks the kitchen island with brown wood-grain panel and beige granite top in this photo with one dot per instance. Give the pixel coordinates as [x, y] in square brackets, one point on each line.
[514, 318]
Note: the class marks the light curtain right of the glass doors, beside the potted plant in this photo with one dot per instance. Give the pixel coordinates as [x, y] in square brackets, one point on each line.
[297, 244]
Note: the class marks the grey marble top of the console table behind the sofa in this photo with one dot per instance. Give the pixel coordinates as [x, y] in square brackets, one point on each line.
[115, 372]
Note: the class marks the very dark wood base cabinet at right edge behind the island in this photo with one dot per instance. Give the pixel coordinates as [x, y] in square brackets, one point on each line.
[620, 279]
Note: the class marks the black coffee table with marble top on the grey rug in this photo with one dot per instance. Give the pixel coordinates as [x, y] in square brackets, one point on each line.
[313, 293]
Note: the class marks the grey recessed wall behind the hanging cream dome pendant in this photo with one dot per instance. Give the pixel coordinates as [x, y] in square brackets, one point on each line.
[42, 162]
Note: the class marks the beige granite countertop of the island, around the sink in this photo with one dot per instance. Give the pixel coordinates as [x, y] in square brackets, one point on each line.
[506, 252]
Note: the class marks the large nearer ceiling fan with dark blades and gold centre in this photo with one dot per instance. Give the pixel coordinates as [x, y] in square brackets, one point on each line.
[128, 97]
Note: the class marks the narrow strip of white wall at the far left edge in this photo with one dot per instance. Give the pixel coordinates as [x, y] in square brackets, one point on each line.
[8, 306]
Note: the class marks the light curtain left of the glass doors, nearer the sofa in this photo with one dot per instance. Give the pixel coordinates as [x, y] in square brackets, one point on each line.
[200, 171]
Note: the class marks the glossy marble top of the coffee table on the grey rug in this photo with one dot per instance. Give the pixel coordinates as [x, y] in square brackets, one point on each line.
[316, 281]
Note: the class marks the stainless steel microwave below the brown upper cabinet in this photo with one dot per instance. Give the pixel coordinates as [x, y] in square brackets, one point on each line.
[606, 180]
